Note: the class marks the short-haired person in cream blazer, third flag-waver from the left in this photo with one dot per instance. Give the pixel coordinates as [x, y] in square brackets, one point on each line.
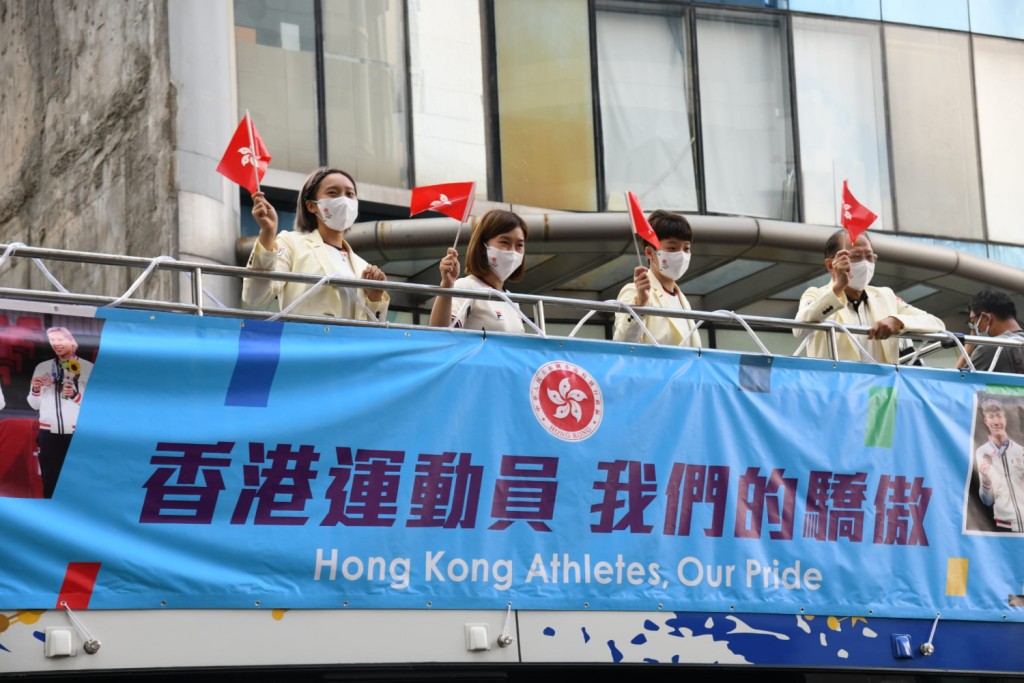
[656, 287]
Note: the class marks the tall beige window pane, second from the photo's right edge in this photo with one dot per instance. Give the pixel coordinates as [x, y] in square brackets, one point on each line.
[931, 110]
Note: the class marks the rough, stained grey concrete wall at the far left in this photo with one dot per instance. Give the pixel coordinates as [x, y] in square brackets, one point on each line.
[88, 115]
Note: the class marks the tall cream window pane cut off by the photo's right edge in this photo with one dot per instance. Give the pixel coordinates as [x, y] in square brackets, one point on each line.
[999, 73]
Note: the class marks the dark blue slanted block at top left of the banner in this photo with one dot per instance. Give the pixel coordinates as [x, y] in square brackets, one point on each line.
[260, 352]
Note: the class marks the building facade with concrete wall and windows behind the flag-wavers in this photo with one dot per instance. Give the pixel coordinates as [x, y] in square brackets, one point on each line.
[754, 111]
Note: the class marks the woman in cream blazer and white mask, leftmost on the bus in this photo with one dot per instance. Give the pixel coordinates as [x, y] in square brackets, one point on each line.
[325, 211]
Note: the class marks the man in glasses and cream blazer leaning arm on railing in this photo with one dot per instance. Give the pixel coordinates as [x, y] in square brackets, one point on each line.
[850, 301]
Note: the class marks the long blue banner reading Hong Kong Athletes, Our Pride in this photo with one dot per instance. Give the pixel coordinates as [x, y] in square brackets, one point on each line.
[223, 463]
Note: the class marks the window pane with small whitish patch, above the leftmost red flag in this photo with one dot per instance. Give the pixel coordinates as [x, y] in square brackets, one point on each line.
[275, 46]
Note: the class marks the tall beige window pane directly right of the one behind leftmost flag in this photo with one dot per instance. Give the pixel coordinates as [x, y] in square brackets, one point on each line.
[365, 82]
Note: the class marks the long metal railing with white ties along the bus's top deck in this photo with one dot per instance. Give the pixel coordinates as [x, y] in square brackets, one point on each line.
[199, 306]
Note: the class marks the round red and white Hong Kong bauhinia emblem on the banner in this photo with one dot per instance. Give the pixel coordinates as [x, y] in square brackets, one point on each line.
[567, 401]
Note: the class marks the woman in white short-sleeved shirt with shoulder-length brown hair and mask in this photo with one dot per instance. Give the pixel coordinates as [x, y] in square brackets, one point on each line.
[494, 258]
